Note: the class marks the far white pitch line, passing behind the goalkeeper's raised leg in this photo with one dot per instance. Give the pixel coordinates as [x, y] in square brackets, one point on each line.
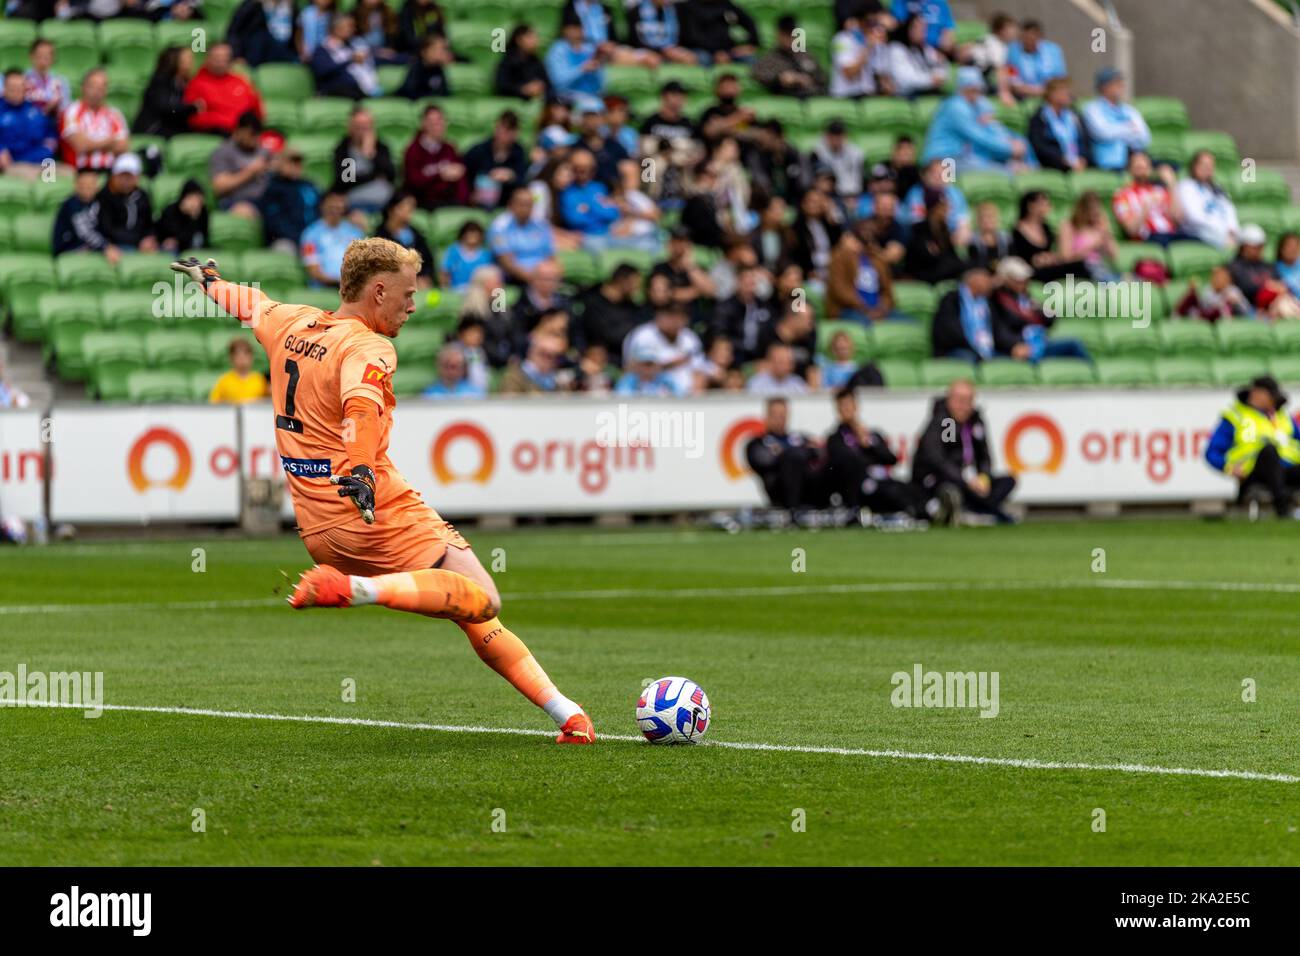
[760, 591]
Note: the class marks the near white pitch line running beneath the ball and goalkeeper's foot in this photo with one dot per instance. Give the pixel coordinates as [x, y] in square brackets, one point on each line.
[1028, 764]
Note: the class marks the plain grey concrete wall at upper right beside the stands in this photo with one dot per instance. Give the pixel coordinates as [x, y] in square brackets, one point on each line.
[1234, 63]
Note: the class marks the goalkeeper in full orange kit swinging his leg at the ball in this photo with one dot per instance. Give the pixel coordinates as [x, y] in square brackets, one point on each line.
[371, 534]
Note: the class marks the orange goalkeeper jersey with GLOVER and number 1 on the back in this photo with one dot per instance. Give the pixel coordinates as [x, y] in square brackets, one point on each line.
[318, 362]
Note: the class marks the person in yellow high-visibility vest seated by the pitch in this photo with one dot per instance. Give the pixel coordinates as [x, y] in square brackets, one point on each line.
[1259, 444]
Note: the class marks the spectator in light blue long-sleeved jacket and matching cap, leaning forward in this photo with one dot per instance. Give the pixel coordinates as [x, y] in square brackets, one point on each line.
[967, 131]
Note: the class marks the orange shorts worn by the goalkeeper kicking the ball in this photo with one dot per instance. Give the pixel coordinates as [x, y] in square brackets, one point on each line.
[372, 550]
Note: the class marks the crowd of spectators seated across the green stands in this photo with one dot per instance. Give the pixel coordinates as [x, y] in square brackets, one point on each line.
[740, 244]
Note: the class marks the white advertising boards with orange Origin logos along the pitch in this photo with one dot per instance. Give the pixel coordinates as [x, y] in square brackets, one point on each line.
[554, 456]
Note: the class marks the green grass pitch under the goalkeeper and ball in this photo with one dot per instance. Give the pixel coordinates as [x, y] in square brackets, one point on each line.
[1139, 665]
